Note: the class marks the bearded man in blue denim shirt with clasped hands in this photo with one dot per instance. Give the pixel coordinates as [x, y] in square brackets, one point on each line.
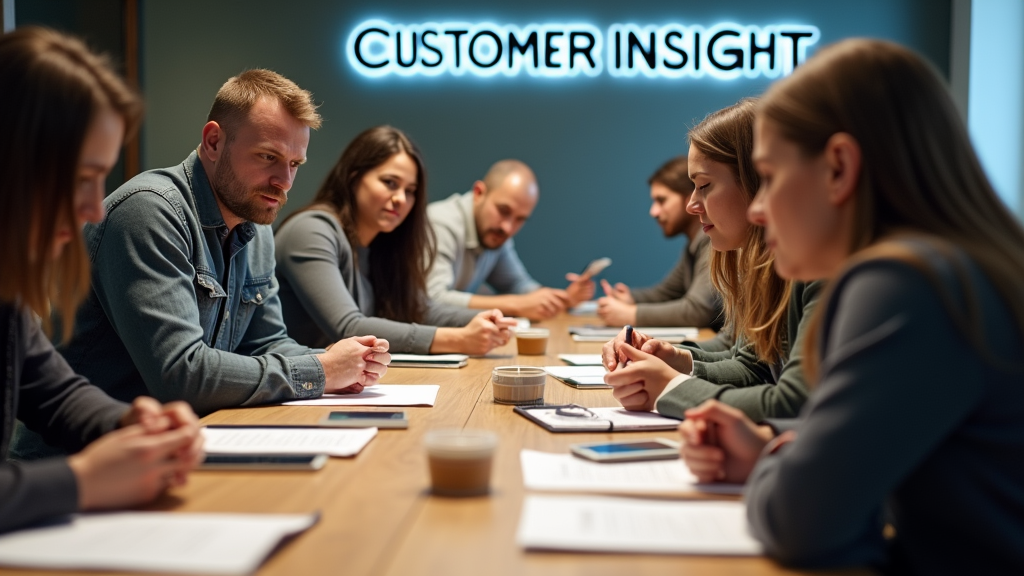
[185, 302]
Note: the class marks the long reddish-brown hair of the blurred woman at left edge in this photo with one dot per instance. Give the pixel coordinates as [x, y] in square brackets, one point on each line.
[53, 89]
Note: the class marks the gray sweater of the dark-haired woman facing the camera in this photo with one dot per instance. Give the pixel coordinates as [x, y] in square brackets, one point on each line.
[326, 297]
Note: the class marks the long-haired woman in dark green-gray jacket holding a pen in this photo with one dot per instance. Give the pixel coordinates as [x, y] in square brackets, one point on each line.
[761, 375]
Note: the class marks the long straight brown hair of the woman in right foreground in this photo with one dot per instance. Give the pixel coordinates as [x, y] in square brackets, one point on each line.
[919, 177]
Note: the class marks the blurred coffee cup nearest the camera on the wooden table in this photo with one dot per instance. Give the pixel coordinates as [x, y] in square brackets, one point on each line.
[460, 462]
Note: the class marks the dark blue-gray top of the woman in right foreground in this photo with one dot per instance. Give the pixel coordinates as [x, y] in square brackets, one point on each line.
[910, 420]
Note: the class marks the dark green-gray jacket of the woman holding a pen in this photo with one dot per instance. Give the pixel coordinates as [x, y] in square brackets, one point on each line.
[739, 379]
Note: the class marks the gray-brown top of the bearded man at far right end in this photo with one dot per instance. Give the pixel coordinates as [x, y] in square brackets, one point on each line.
[686, 297]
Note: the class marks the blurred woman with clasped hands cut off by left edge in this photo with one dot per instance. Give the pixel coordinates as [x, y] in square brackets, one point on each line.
[63, 117]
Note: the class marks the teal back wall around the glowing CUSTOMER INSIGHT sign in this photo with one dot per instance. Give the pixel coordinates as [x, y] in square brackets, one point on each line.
[592, 142]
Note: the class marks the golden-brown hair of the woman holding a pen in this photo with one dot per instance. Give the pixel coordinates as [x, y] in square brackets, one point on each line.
[755, 298]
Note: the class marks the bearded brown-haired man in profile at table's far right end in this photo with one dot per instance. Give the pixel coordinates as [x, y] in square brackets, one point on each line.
[687, 297]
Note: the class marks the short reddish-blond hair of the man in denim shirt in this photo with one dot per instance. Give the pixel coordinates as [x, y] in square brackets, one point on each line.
[241, 93]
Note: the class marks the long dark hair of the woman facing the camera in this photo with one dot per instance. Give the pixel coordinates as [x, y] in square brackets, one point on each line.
[403, 257]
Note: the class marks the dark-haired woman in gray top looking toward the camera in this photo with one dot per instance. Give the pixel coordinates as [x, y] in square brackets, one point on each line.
[356, 261]
